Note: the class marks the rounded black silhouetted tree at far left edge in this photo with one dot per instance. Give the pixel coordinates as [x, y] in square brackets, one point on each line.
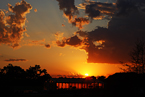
[11, 78]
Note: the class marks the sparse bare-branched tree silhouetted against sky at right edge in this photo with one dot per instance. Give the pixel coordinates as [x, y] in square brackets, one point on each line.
[137, 55]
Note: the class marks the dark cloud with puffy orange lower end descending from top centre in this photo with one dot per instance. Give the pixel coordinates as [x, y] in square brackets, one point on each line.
[70, 12]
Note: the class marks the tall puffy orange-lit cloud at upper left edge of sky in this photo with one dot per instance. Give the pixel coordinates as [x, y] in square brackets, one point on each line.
[13, 26]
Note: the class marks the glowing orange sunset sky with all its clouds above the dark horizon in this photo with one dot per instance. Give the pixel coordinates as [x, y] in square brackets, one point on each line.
[70, 37]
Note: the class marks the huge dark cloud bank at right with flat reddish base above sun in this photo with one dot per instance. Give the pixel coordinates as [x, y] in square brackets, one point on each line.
[112, 44]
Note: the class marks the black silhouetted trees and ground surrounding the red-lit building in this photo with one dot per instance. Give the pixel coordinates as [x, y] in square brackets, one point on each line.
[17, 82]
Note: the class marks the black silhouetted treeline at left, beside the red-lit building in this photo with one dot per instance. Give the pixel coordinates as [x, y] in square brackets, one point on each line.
[15, 79]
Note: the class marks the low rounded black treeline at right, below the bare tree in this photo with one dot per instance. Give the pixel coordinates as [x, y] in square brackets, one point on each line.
[128, 84]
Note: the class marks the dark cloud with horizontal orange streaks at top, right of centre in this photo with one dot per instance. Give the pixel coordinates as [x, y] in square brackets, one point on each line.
[98, 10]
